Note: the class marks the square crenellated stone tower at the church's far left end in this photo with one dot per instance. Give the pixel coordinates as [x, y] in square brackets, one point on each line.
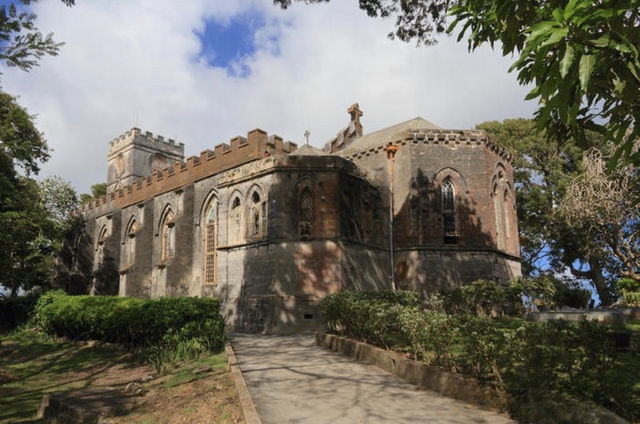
[135, 155]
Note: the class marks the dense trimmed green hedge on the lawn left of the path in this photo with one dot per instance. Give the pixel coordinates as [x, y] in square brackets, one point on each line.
[128, 321]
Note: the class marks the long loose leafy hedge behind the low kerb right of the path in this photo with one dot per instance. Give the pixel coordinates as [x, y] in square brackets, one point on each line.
[534, 363]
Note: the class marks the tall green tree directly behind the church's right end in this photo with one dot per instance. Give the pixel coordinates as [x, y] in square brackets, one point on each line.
[544, 169]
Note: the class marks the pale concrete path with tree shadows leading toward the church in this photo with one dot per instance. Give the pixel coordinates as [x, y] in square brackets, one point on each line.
[294, 381]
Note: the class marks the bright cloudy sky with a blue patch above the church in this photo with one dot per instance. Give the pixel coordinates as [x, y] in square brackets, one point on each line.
[202, 72]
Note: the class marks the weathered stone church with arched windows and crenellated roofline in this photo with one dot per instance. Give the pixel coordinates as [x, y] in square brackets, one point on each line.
[270, 228]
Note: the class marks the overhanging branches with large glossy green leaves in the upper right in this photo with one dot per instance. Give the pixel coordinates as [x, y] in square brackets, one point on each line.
[580, 55]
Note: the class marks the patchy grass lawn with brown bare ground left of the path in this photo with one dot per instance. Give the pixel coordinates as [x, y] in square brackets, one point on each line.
[31, 366]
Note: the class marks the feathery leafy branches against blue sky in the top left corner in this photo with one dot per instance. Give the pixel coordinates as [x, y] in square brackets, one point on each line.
[21, 44]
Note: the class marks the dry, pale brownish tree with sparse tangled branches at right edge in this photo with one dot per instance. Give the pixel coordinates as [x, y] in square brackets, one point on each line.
[606, 206]
